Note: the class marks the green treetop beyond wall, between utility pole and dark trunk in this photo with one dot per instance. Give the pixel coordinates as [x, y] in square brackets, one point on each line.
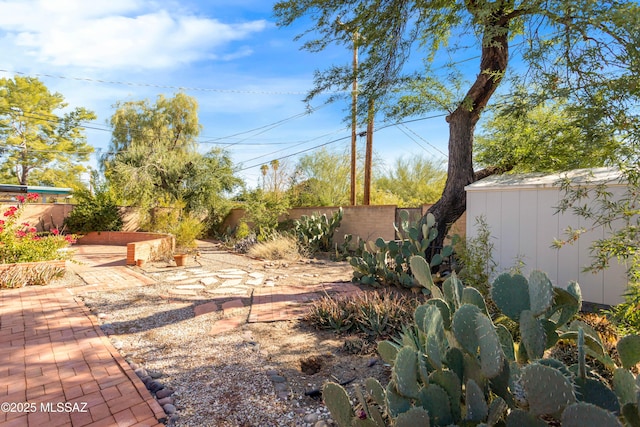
[412, 182]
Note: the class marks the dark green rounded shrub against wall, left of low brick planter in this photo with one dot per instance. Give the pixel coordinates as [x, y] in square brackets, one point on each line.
[94, 212]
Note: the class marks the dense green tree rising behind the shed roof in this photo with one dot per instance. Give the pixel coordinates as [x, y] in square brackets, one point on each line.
[548, 137]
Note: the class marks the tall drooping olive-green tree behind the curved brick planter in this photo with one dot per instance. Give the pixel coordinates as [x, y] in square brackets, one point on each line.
[153, 149]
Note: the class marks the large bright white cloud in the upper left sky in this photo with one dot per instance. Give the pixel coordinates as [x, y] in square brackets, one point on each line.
[117, 34]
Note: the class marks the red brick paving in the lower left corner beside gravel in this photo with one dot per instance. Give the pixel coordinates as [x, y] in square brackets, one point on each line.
[52, 352]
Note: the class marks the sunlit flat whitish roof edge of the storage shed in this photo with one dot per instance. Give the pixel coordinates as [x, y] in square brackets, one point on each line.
[589, 177]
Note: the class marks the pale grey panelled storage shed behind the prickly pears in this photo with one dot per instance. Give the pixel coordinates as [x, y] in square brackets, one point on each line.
[520, 211]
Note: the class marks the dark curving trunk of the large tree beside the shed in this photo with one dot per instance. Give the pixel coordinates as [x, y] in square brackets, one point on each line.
[462, 123]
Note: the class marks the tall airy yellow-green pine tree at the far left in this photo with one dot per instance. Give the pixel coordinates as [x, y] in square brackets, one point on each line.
[38, 146]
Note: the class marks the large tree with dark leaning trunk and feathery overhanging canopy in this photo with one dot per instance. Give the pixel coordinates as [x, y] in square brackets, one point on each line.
[583, 49]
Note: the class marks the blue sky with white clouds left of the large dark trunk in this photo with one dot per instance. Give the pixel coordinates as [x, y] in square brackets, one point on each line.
[248, 75]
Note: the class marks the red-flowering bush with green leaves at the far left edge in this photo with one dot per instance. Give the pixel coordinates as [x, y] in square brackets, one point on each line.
[21, 242]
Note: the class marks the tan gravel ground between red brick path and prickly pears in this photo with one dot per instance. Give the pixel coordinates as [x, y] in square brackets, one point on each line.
[221, 380]
